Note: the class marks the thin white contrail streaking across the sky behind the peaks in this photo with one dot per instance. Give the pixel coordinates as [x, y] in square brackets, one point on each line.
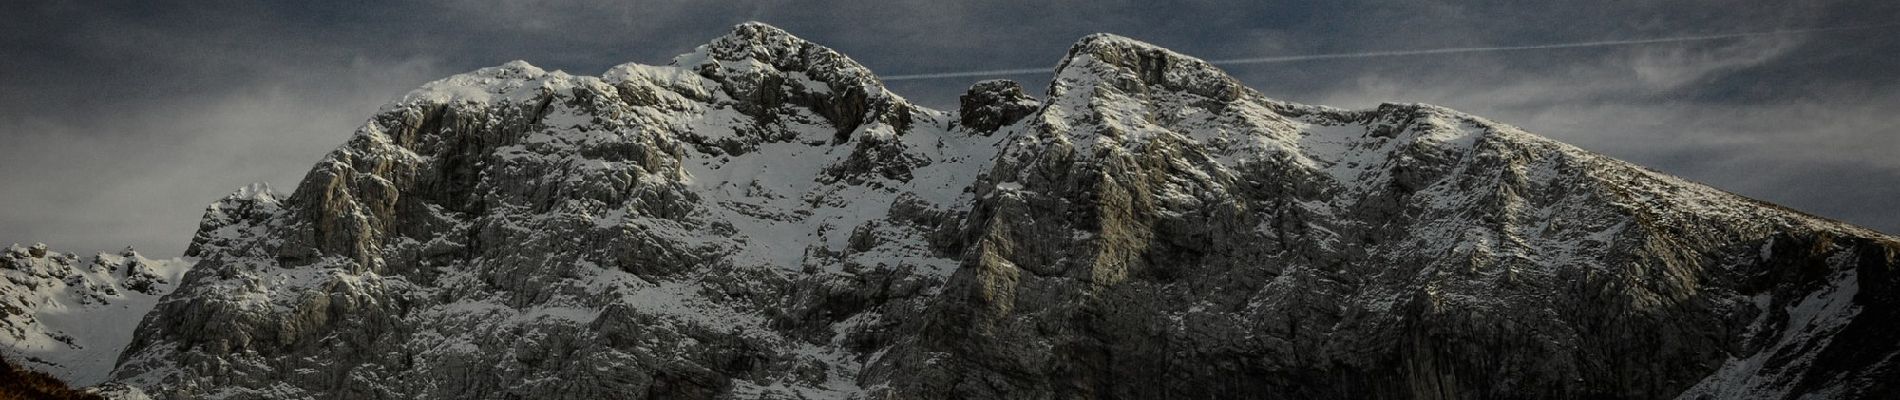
[1416, 52]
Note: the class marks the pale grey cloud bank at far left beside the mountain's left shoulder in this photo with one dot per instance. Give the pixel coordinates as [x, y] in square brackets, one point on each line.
[142, 177]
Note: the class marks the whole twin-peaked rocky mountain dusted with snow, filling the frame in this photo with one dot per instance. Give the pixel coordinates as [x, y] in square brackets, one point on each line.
[763, 219]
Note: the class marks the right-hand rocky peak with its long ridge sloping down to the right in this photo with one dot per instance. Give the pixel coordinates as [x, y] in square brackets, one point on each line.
[1166, 232]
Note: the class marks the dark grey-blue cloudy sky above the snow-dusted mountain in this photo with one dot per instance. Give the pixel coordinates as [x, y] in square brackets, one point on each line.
[123, 120]
